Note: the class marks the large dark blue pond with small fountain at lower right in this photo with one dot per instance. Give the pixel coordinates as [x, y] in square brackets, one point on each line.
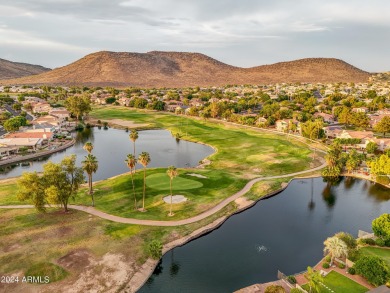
[285, 232]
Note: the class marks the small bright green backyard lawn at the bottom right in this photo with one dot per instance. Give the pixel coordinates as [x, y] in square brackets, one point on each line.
[339, 284]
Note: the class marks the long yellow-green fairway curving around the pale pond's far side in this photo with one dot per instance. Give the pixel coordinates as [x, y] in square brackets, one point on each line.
[242, 152]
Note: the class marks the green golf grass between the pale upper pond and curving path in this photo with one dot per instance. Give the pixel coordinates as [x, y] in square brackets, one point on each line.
[241, 154]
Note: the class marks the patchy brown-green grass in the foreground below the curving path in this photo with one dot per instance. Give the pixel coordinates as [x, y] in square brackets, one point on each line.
[38, 244]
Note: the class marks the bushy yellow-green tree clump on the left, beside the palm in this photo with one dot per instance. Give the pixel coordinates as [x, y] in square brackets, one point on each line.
[58, 183]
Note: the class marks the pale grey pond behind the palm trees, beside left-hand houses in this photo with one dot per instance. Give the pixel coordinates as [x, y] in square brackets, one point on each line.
[111, 147]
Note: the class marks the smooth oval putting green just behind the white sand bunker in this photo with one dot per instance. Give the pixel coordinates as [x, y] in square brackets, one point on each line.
[160, 181]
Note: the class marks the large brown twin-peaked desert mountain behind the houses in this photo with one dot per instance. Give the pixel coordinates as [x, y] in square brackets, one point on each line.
[179, 69]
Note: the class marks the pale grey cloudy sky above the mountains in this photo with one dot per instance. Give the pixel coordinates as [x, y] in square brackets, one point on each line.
[243, 33]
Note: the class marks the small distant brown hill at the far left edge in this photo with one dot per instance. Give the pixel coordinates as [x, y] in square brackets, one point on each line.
[9, 69]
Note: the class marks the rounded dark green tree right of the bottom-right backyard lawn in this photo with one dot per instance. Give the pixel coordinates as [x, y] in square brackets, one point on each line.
[373, 268]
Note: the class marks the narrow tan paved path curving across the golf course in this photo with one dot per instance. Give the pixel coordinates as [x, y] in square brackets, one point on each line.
[218, 207]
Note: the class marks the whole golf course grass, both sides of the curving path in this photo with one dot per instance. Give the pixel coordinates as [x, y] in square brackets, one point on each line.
[241, 154]
